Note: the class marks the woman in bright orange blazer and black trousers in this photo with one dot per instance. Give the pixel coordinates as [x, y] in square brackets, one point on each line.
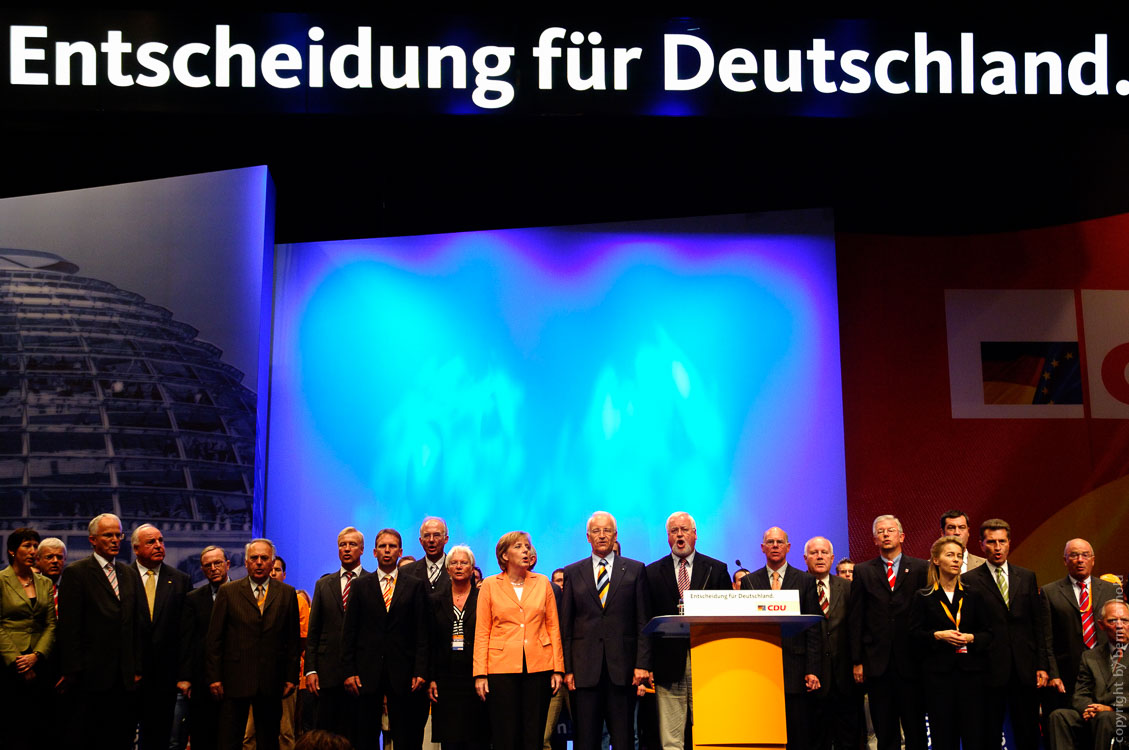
[519, 660]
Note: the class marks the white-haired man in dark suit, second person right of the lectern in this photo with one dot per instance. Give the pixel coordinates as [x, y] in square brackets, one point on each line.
[838, 718]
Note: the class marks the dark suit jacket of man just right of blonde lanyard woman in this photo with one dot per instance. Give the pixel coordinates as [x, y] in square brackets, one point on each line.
[1019, 629]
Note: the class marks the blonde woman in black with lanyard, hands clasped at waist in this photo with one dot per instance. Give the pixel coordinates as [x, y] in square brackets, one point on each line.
[950, 627]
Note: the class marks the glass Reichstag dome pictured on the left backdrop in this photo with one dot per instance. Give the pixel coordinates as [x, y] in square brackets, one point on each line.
[108, 404]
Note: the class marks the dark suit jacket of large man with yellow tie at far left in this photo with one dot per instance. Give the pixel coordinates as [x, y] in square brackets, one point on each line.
[163, 640]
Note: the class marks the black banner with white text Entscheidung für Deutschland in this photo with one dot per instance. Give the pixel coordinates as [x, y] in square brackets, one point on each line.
[680, 67]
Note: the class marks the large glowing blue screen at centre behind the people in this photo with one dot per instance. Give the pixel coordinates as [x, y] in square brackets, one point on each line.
[524, 379]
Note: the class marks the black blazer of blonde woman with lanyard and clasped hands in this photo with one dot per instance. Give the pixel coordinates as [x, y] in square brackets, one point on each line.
[927, 617]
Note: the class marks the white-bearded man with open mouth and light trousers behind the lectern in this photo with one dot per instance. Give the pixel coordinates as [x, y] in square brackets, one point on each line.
[668, 579]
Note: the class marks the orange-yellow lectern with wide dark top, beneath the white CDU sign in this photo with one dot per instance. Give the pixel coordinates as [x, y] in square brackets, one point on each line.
[737, 674]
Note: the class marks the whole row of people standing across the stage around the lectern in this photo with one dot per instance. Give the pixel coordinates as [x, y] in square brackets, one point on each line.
[102, 655]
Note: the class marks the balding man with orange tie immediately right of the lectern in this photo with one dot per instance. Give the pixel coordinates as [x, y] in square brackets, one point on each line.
[801, 652]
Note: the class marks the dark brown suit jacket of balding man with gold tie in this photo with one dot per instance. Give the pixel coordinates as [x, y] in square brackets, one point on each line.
[253, 653]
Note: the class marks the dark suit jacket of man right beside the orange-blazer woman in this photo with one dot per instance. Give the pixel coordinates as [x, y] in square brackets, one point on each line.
[594, 635]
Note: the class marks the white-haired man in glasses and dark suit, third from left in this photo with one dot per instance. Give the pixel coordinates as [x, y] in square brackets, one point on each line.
[101, 640]
